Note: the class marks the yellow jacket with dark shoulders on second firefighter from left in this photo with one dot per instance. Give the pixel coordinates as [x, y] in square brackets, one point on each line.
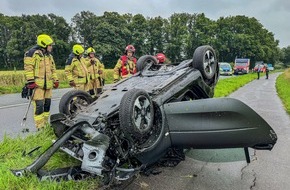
[76, 70]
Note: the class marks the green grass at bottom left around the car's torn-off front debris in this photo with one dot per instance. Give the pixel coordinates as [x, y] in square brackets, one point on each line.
[11, 157]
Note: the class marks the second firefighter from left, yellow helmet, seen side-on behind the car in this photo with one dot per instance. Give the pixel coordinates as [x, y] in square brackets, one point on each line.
[76, 69]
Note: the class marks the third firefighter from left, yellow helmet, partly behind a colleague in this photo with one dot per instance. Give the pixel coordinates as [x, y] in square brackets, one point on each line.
[96, 70]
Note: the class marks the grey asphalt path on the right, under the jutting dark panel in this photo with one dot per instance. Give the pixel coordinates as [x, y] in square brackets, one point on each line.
[227, 169]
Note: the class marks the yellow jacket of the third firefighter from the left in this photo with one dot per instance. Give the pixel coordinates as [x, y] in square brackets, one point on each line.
[95, 67]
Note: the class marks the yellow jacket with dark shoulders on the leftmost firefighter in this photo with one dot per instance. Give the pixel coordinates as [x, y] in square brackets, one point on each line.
[40, 68]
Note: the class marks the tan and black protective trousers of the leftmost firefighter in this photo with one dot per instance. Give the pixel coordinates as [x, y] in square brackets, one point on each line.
[42, 102]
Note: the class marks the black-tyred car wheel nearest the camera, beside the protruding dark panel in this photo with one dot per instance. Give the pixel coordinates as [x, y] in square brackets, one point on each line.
[136, 113]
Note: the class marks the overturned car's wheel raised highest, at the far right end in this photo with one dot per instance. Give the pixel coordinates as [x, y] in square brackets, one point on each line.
[204, 59]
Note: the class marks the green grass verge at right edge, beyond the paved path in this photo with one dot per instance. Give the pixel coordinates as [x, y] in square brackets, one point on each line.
[283, 89]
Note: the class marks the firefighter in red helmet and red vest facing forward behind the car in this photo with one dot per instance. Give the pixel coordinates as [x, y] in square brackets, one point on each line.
[126, 65]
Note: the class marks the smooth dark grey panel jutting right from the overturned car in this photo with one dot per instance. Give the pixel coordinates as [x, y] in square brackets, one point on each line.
[218, 123]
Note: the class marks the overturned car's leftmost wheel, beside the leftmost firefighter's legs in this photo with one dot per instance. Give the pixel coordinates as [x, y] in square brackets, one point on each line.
[74, 101]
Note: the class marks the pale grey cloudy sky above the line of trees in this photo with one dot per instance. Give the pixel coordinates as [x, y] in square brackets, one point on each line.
[274, 15]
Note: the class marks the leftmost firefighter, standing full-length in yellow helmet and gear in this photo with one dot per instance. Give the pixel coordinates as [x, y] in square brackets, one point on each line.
[40, 73]
